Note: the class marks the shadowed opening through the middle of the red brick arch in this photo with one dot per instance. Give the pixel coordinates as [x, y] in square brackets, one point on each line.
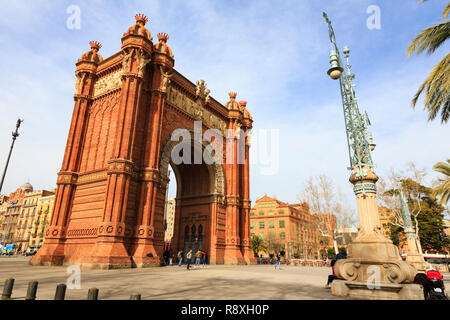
[192, 191]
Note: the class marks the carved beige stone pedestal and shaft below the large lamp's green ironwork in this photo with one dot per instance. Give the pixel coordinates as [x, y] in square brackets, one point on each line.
[374, 268]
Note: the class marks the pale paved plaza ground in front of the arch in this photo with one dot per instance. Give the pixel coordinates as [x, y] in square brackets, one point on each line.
[215, 282]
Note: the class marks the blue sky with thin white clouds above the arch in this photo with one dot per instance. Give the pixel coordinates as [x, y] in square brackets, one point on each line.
[273, 53]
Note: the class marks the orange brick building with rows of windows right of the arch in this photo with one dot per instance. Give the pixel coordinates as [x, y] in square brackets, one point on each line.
[288, 227]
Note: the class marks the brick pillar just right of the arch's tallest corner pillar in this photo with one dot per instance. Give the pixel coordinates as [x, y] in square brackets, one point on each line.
[150, 231]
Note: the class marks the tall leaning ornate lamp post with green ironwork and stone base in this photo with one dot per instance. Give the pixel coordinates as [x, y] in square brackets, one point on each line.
[374, 268]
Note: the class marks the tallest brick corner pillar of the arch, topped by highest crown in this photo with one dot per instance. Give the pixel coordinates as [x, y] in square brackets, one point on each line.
[110, 250]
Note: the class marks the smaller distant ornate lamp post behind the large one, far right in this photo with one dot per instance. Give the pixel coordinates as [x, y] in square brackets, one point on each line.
[414, 256]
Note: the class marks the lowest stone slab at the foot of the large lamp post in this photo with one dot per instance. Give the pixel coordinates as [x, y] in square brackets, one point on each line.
[384, 291]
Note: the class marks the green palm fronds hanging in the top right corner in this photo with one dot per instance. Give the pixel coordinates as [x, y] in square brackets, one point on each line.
[437, 85]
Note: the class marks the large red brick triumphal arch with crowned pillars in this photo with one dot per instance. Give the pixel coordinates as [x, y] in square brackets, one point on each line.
[109, 205]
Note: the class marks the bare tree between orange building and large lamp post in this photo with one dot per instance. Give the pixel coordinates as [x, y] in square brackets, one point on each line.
[323, 198]
